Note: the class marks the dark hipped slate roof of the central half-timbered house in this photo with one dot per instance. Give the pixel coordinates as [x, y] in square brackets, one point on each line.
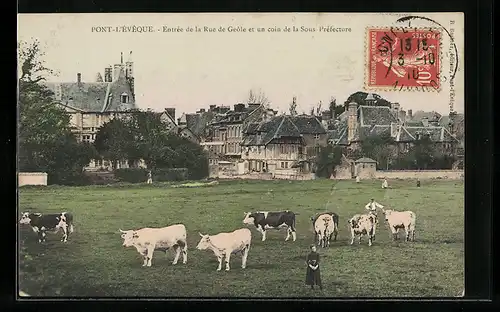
[281, 126]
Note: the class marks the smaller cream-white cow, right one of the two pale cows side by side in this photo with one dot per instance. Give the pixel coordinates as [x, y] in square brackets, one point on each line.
[225, 244]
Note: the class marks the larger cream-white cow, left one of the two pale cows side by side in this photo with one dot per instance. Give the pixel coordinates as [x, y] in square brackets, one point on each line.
[147, 240]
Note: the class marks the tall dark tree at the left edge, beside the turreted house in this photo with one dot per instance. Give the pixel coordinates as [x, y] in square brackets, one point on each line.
[45, 140]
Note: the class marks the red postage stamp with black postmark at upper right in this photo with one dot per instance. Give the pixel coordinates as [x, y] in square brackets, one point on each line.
[403, 59]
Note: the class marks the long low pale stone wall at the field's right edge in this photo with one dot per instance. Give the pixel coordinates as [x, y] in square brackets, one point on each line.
[420, 174]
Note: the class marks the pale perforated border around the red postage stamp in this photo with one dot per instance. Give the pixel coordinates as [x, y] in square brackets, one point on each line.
[366, 85]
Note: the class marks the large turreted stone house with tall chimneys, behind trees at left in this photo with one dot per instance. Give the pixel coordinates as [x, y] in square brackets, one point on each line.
[91, 104]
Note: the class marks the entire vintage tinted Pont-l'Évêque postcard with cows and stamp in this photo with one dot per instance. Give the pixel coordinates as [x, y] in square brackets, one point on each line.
[241, 155]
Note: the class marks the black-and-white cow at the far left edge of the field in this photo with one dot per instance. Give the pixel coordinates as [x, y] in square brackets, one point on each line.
[53, 222]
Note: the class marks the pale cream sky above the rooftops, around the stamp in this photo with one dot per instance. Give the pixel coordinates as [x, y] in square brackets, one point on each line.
[191, 70]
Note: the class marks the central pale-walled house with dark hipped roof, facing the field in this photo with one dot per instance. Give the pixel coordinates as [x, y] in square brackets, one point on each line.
[283, 144]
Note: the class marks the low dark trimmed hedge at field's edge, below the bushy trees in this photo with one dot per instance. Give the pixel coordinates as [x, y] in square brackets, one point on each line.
[138, 175]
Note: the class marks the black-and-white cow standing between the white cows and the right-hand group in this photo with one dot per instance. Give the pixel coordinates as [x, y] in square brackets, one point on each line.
[272, 220]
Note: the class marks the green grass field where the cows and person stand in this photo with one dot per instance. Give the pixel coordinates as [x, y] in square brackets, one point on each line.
[94, 263]
